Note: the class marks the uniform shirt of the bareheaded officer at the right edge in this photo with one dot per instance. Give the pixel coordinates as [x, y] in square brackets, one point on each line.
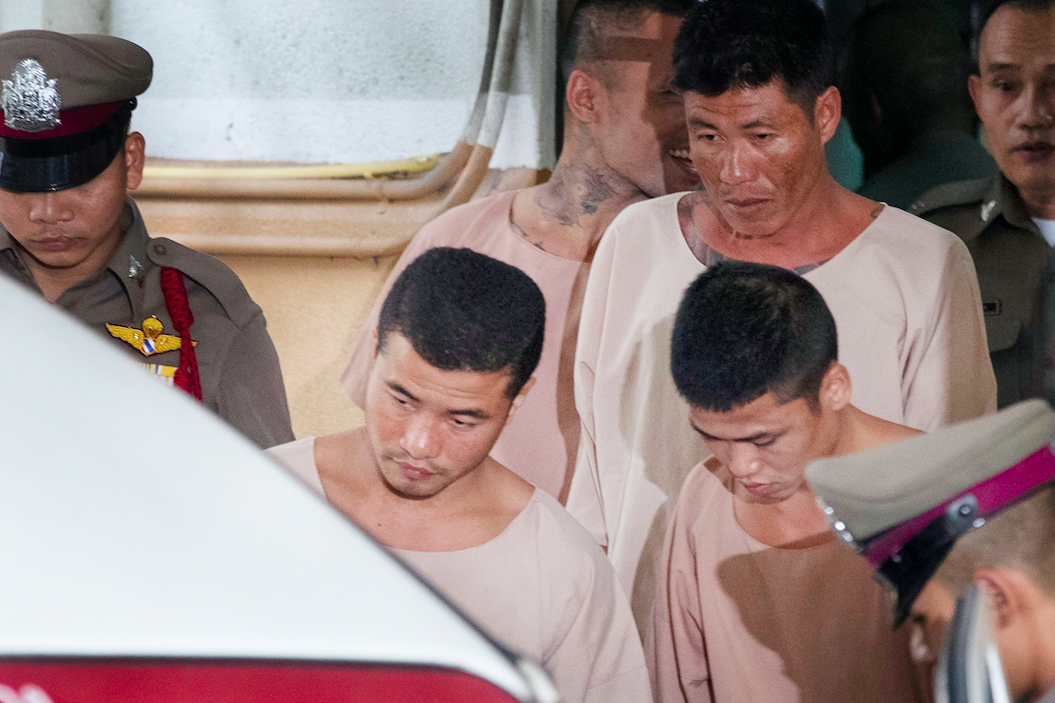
[1015, 274]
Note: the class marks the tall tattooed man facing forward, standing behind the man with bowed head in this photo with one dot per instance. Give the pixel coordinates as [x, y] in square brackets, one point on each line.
[760, 105]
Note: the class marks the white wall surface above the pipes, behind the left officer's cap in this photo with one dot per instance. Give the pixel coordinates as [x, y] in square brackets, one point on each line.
[311, 81]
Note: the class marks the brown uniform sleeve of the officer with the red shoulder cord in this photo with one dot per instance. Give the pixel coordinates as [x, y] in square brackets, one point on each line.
[252, 396]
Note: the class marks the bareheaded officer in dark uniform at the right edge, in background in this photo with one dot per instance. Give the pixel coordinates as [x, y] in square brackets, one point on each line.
[1003, 218]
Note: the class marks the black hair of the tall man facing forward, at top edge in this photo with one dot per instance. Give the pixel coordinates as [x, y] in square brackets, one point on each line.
[727, 45]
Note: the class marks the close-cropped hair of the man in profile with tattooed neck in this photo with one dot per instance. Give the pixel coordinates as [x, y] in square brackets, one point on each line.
[585, 40]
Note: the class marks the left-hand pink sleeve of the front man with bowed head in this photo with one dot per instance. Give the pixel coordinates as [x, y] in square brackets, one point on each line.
[676, 648]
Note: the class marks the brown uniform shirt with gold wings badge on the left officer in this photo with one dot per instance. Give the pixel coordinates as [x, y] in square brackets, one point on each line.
[238, 365]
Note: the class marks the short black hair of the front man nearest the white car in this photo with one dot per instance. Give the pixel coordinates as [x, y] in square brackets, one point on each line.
[463, 311]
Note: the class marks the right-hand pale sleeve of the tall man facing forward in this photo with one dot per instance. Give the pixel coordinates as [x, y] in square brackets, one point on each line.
[949, 376]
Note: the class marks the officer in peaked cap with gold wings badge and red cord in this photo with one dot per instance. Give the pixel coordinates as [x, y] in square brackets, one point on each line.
[71, 233]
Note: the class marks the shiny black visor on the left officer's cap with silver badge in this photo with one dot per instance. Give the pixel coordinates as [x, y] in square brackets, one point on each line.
[42, 166]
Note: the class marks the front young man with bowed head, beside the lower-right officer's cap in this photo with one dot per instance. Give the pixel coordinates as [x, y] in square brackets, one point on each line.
[758, 601]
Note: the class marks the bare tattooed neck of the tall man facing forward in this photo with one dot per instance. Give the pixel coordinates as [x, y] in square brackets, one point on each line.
[830, 219]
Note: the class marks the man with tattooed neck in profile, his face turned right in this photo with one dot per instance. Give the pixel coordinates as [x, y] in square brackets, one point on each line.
[625, 141]
